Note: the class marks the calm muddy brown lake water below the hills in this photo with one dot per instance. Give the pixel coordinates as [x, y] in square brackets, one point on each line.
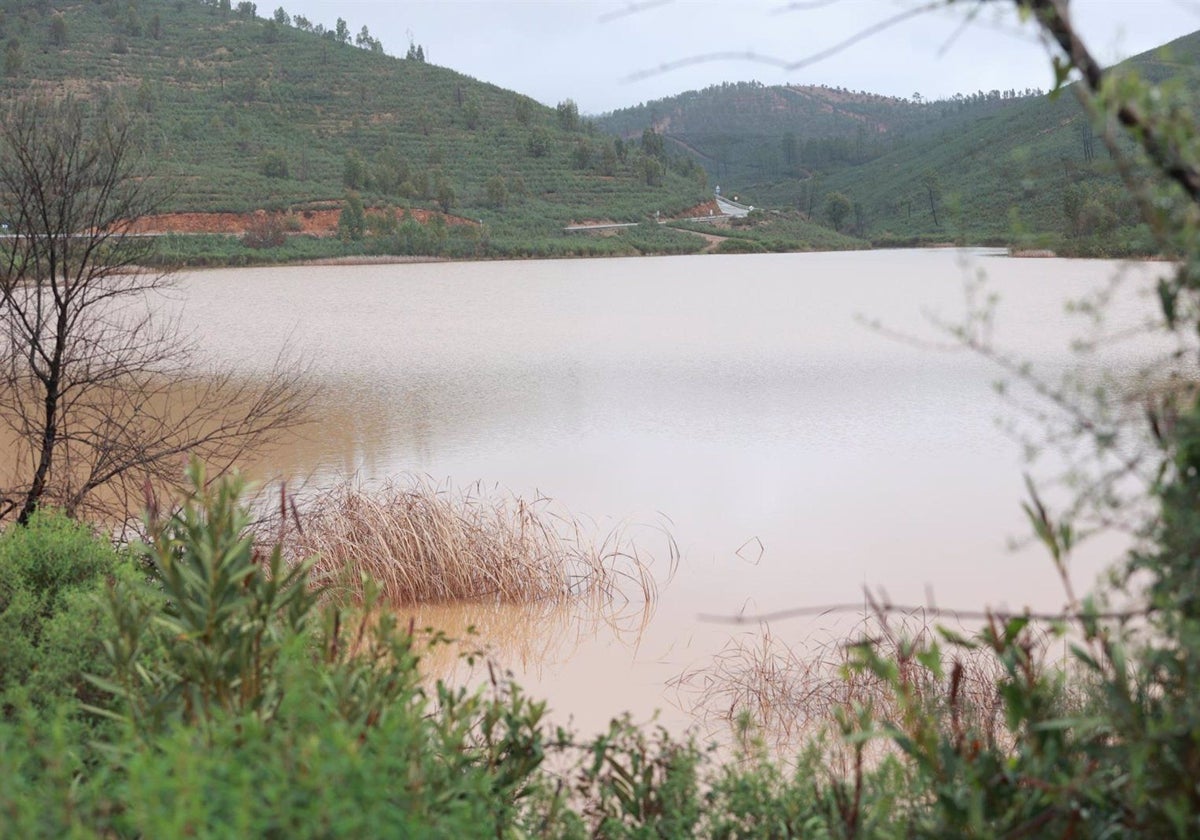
[739, 404]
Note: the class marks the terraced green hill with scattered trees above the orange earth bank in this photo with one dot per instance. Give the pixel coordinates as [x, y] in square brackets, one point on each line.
[250, 113]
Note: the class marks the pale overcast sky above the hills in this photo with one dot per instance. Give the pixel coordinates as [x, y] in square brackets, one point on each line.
[591, 51]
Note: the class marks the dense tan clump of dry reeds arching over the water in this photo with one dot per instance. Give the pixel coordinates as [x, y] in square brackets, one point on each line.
[425, 544]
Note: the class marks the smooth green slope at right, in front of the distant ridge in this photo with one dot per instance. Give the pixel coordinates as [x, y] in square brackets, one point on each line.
[1035, 175]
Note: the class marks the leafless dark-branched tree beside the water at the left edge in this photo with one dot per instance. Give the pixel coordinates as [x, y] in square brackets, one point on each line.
[100, 392]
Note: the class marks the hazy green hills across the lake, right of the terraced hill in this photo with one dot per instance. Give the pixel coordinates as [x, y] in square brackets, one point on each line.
[1009, 167]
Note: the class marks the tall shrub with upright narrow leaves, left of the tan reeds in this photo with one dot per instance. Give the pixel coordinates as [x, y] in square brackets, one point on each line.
[227, 616]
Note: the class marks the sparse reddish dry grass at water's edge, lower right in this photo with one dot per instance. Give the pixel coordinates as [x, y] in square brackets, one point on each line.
[791, 693]
